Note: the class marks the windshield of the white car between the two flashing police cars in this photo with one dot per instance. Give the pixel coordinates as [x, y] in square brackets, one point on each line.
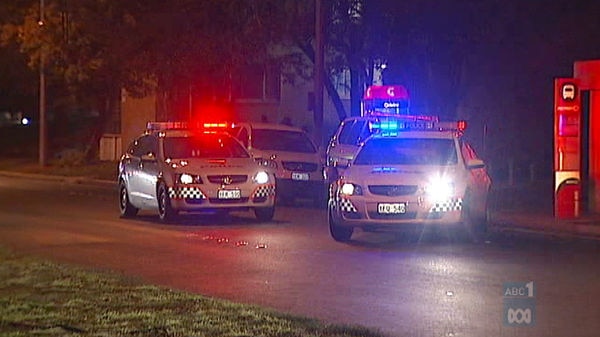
[282, 140]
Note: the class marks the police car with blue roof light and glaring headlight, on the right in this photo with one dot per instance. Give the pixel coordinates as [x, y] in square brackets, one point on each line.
[410, 172]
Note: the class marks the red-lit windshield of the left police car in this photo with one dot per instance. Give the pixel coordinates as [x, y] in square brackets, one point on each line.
[203, 146]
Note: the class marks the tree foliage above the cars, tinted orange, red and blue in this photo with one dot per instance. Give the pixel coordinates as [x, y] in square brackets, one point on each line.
[97, 47]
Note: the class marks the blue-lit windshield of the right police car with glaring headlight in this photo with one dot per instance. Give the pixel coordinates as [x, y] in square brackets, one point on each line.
[407, 151]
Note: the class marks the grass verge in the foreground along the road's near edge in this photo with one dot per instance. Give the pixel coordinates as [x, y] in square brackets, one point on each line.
[40, 298]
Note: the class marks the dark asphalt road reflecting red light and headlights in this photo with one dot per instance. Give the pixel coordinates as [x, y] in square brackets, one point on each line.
[438, 286]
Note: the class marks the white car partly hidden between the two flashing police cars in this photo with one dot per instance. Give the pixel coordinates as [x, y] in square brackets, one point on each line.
[298, 163]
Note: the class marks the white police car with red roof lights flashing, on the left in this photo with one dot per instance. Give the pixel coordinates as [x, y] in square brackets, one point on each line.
[172, 168]
